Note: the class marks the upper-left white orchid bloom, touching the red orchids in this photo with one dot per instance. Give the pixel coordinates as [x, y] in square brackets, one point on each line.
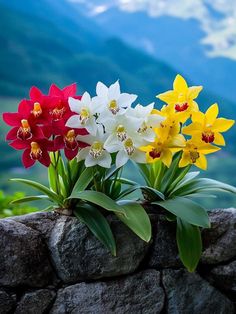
[86, 111]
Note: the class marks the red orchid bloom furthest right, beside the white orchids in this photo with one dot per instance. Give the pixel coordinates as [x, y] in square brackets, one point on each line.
[69, 141]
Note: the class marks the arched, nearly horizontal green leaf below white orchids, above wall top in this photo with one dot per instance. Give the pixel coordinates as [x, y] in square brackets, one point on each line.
[99, 199]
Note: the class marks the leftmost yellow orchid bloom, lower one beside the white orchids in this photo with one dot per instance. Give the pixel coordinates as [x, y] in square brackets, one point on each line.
[163, 146]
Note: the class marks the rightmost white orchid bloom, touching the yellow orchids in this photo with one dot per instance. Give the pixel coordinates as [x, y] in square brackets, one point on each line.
[149, 121]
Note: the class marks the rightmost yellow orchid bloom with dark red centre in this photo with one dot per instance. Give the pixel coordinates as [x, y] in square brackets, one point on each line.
[207, 127]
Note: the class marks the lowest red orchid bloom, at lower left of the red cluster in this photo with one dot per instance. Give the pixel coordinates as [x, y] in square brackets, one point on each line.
[36, 150]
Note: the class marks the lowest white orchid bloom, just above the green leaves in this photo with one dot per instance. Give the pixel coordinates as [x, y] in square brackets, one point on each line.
[95, 154]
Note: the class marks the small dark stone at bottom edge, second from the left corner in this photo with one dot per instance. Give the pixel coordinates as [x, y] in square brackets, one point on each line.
[36, 302]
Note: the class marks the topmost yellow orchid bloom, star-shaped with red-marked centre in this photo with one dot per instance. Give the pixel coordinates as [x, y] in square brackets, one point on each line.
[181, 98]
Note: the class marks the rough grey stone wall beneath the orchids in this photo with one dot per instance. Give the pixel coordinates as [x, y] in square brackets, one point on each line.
[53, 264]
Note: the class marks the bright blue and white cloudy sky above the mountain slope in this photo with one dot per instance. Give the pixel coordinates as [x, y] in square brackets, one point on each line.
[217, 18]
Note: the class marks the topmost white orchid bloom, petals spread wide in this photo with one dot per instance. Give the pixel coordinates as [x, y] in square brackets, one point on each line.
[111, 101]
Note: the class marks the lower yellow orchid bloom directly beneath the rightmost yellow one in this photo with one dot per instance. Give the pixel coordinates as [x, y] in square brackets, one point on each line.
[194, 153]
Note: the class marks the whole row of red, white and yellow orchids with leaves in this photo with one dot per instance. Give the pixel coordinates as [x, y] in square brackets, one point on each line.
[99, 135]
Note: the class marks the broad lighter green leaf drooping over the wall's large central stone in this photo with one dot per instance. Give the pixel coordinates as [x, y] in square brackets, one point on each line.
[136, 219]
